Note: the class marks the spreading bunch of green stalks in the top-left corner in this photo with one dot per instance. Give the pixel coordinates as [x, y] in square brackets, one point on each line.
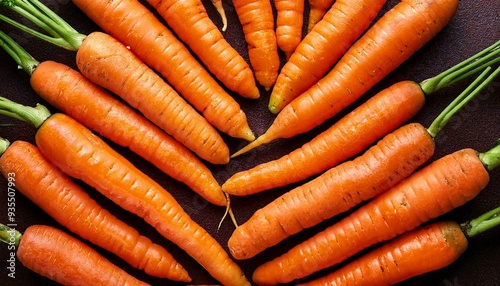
[59, 32]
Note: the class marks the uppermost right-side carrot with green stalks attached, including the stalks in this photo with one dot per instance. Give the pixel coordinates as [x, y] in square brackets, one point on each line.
[378, 116]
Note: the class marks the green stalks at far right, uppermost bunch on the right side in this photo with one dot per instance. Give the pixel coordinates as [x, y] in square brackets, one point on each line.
[487, 57]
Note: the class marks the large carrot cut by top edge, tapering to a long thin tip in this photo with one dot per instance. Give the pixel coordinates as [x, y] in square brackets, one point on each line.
[369, 60]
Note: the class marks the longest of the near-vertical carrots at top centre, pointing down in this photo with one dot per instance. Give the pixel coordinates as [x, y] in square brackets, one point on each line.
[257, 19]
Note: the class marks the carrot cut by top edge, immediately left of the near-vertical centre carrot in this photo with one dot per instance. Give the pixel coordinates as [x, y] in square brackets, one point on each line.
[191, 23]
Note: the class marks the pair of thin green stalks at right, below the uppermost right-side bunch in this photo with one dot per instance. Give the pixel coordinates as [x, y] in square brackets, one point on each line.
[463, 98]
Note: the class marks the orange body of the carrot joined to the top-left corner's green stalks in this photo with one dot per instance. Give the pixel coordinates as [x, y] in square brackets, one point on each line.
[108, 63]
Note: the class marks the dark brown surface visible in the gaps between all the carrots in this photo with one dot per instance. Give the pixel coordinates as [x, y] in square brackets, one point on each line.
[474, 27]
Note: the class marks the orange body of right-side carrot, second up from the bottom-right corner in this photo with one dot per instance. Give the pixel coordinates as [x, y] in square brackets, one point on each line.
[440, 187]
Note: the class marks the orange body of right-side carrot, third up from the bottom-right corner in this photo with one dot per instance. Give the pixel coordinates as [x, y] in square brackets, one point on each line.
[337, 190]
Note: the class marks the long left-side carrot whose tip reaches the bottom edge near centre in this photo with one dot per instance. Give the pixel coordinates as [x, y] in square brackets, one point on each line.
[82, 155]
